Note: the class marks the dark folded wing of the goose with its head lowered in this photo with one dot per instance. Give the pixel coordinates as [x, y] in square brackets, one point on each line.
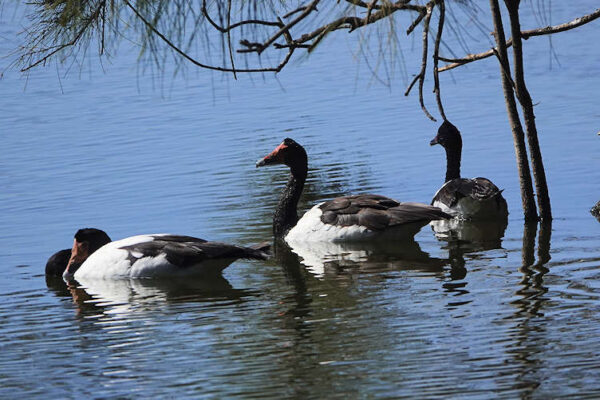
[186, 251]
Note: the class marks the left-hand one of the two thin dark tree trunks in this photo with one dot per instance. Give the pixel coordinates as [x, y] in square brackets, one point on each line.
[527, 198]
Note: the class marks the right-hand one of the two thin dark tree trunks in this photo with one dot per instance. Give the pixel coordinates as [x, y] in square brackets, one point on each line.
[539, 175]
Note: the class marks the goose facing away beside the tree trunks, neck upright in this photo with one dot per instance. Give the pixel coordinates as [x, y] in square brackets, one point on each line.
[474, 198]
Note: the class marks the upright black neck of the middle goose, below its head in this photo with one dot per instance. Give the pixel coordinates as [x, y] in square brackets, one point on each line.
[286, 215]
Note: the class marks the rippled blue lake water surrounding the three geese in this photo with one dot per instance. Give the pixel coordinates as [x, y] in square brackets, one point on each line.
[131, 153]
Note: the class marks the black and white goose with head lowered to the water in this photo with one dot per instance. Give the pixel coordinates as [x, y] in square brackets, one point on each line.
[94, 255]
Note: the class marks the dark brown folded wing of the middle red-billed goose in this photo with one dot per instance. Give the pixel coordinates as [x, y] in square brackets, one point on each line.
[375, 212]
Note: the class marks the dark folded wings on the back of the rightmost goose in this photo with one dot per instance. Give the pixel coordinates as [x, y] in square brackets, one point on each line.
[477, 188]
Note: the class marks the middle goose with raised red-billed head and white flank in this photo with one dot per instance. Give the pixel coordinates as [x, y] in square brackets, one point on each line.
[347, 218]
